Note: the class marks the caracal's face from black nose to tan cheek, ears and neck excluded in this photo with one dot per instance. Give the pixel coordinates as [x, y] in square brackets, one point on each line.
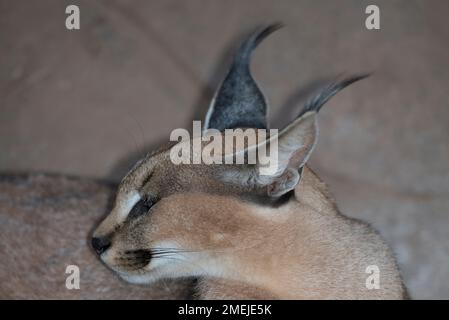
[167, 218]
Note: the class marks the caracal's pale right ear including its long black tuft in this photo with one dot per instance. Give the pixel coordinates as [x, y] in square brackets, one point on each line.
[293, 147]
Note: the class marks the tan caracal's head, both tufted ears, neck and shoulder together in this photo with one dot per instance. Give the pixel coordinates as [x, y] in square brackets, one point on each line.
[271, 233]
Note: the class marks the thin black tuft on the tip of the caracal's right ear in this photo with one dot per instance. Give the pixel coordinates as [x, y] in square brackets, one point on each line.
[317, 101]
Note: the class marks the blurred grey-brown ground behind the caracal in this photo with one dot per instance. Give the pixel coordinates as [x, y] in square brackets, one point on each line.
[88, 102]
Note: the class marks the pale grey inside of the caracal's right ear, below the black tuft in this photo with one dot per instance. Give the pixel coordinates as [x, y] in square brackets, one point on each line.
[295, 145]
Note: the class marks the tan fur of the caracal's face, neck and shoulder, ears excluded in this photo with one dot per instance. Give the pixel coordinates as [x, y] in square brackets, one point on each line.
[302, 249]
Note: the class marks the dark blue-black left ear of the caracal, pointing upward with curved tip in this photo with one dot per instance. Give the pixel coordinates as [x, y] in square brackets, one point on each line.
[239, 102]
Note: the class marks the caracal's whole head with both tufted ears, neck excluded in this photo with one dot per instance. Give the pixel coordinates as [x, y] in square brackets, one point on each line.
[174, 220]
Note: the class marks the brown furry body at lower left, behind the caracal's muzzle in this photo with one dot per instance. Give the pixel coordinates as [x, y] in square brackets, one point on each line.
[45, 225]
